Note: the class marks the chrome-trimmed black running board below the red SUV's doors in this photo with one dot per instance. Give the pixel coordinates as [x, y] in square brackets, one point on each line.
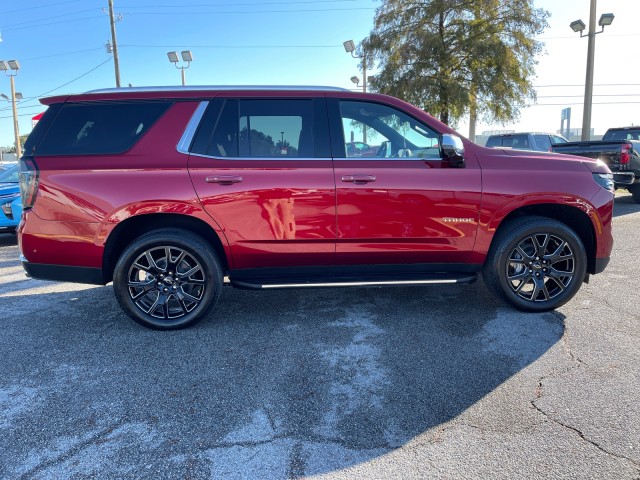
[264, 284]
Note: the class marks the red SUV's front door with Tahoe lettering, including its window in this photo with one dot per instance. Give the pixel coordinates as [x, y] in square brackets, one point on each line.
[409, 205]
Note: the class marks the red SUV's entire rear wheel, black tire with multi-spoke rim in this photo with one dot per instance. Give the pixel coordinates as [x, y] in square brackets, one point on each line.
[167, 279]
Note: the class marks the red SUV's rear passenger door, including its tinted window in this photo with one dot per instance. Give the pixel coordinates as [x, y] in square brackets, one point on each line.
[274, 200]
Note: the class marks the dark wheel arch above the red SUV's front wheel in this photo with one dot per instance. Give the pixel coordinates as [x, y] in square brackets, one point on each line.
[573, 217]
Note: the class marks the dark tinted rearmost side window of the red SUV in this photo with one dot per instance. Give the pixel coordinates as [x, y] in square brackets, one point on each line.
[84, 129]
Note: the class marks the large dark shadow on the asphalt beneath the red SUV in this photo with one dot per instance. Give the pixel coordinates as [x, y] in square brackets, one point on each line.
[275, 384]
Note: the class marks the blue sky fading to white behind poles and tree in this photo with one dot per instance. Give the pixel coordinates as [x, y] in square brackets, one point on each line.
[61, 49]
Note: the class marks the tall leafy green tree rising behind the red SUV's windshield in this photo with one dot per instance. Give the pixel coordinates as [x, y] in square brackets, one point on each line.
[455, 56]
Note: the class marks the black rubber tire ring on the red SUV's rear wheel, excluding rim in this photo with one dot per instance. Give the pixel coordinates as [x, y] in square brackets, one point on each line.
[187, 241]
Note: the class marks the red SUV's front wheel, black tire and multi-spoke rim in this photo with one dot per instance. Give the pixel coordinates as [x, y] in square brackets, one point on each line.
[535, 264]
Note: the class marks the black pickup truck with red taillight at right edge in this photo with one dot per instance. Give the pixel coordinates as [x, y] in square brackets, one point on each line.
[619, 149]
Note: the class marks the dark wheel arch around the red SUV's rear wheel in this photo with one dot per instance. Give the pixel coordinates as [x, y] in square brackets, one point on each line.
[133, 227]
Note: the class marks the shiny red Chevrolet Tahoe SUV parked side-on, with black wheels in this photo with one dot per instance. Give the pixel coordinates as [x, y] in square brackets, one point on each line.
[170, 193]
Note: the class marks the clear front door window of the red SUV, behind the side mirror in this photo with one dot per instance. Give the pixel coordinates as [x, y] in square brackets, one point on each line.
[375, 130]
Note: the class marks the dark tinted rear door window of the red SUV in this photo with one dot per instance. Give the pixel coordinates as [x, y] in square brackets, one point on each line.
[274, 128]
